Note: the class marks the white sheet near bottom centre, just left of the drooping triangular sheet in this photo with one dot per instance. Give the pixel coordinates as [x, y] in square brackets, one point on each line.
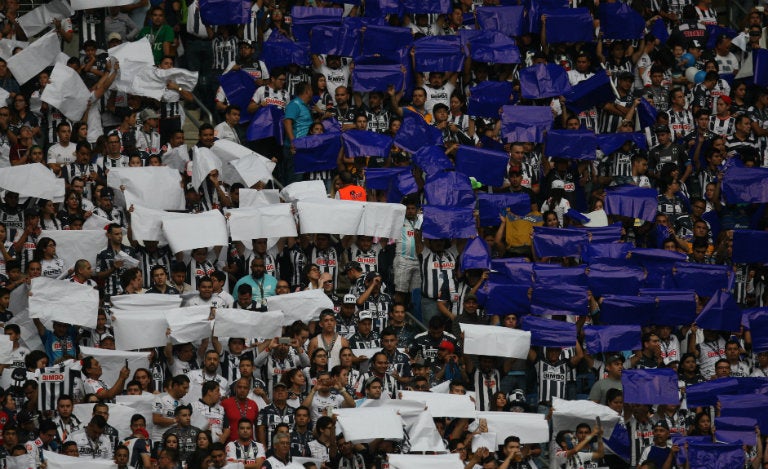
[356, 424]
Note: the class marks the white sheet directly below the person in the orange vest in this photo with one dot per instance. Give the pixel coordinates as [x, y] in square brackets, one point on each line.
[329, 216]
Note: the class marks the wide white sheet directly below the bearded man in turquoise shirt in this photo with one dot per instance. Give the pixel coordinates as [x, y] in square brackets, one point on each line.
[233, 322]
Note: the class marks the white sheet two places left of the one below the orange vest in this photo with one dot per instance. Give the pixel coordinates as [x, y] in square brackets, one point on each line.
[198, 230]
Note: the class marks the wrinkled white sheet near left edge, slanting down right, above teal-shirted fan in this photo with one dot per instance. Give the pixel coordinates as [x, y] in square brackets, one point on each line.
[63, 301]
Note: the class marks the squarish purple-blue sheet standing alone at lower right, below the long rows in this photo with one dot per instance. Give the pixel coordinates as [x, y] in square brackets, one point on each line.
[650, 386]
